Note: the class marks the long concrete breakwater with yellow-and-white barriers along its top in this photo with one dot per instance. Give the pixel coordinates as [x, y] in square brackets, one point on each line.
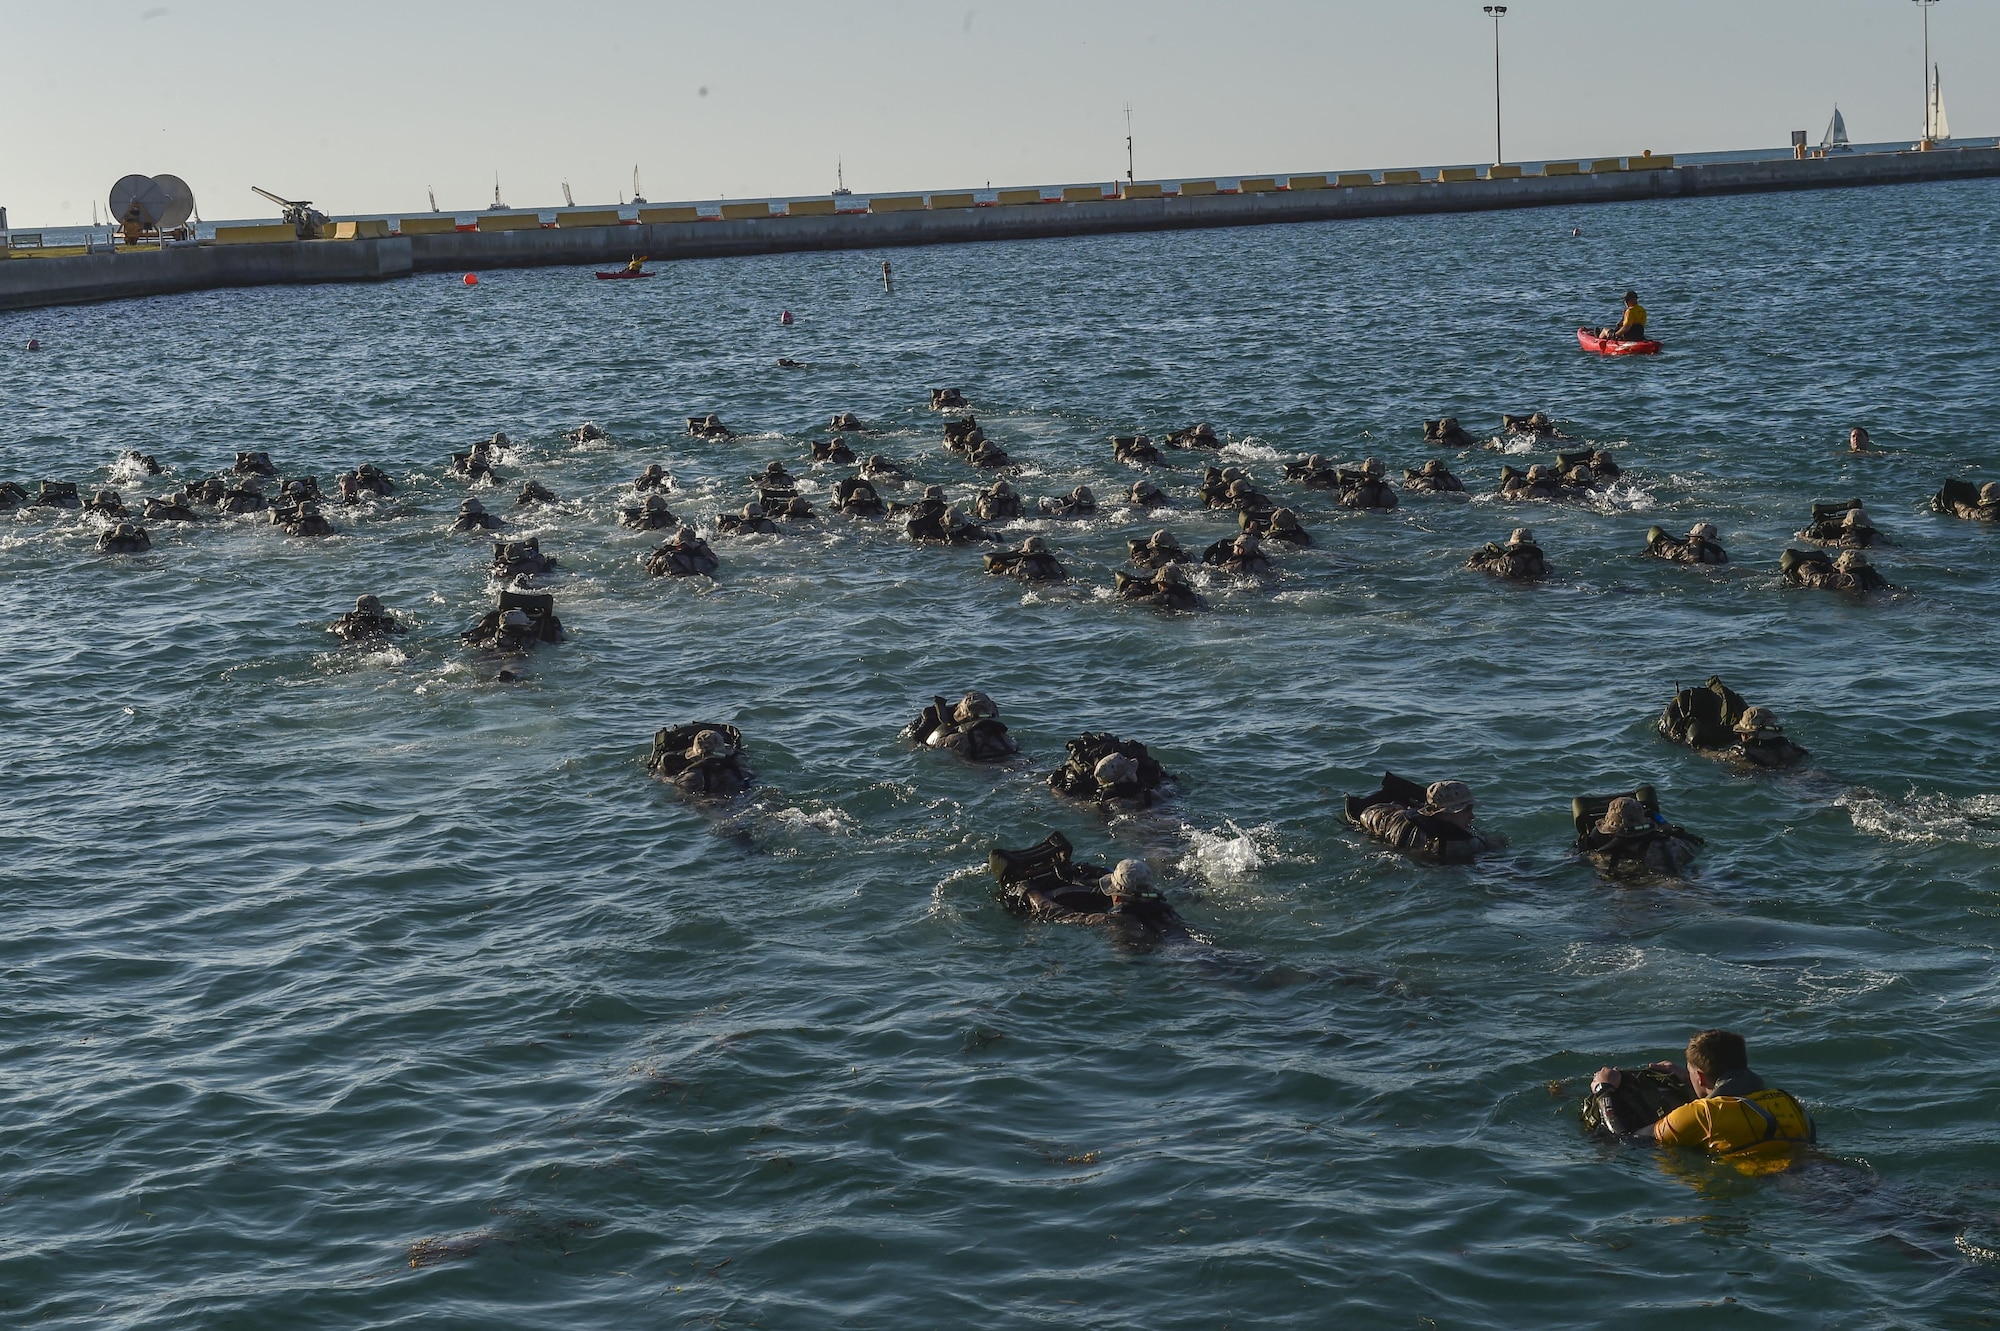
[947, 219]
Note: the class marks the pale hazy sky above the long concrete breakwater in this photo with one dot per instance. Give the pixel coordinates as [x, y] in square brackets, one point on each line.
[363, 105]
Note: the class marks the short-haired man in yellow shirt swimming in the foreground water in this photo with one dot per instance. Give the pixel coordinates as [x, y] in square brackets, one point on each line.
[1733, 1112]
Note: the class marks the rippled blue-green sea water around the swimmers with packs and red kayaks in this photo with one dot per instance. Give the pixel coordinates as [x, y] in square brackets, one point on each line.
[361, 990]
